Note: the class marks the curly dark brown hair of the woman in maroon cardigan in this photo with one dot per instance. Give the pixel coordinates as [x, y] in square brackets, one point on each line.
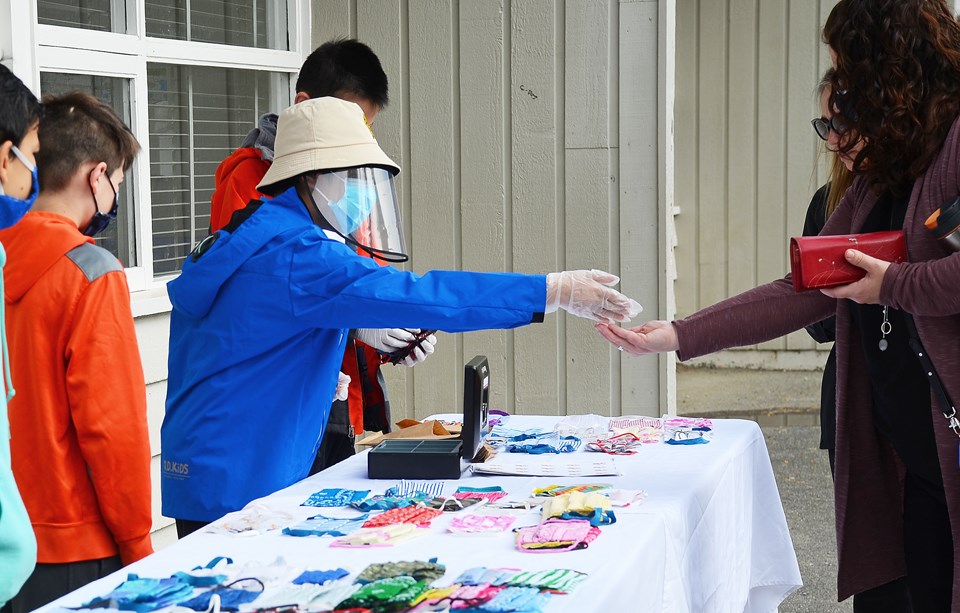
[896, 84]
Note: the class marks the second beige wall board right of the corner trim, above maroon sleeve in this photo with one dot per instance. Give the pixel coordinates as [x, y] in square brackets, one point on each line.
[711, 211]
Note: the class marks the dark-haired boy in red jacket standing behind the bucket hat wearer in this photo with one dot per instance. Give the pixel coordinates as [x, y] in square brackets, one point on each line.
[349, 70]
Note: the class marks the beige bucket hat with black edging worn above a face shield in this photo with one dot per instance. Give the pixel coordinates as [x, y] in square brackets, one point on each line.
[323, 134]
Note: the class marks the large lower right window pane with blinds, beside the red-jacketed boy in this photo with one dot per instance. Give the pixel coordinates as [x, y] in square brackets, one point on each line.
[198, 116]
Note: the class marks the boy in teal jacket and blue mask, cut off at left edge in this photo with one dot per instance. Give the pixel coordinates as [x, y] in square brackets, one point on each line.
[19, 121]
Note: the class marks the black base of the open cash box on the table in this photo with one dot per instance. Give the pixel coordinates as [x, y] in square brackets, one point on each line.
[410, 459]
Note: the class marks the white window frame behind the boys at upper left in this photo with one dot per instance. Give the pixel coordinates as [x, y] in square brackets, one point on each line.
[29, 48]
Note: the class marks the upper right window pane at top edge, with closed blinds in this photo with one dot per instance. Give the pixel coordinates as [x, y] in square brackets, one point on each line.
[247, 23]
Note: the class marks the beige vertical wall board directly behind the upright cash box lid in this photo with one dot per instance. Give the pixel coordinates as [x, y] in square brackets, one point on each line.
[482, 199]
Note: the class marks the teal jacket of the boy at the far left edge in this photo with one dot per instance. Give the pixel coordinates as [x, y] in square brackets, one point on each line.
[18, 547]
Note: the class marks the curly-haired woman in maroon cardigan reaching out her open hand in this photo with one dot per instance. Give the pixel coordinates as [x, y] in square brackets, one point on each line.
[896, 95]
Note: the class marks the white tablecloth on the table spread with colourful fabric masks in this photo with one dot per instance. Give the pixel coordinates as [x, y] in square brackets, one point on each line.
[711, 535]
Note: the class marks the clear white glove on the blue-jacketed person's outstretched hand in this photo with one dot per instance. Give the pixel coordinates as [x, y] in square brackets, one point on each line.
[588, 294]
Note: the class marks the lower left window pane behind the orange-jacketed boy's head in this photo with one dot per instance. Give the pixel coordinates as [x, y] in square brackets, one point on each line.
[120, 236]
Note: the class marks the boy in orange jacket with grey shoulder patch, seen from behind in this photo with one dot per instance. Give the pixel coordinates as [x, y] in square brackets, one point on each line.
[78, 422]
